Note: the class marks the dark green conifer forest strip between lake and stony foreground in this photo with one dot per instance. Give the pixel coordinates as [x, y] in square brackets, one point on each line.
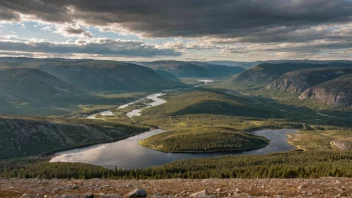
[295, 164]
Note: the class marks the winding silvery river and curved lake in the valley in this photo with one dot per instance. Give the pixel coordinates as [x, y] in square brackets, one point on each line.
[128, 153]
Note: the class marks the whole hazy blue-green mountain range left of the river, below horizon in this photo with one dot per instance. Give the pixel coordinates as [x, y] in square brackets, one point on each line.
[53, 86]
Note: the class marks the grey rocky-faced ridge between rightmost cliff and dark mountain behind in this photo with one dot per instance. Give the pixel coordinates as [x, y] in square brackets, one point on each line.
[300, 80]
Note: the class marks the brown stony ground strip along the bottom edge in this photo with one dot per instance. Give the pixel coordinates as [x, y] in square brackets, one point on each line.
[324, 187]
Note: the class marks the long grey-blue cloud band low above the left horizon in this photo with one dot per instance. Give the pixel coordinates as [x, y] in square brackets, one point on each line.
[100, 47]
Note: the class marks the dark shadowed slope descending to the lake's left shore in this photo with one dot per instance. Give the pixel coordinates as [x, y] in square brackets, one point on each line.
[23, 137]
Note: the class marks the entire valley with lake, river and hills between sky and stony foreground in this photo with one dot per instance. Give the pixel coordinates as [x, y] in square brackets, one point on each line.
[253, 124]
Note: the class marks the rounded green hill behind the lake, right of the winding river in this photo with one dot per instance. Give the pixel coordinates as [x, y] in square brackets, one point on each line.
[207, 102]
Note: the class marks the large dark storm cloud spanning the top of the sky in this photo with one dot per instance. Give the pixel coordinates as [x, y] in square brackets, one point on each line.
[247, 20]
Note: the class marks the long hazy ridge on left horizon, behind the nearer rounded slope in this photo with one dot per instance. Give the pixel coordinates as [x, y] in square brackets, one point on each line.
[97, 75]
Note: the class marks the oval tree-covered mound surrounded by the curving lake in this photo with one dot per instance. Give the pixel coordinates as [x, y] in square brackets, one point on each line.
[196, 140]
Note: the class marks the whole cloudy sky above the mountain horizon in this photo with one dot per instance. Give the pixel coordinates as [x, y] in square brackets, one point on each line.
[194, 30]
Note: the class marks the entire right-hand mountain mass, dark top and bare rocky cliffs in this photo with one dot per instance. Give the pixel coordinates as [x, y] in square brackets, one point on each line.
[328, 82]
